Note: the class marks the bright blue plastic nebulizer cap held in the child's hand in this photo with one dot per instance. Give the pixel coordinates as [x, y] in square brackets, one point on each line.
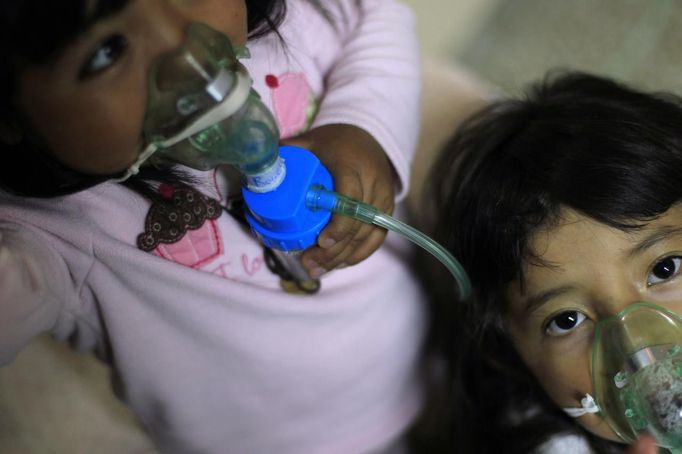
[280, 218]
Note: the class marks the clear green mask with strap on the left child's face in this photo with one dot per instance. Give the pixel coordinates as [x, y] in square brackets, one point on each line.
[202, 112]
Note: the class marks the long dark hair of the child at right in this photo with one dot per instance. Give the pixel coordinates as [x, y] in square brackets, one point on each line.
[605, 150]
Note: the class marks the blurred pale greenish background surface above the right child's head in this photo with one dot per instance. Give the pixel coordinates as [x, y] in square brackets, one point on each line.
[511, 42]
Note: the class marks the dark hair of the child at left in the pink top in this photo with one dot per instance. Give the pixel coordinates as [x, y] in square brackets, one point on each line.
[33, 32]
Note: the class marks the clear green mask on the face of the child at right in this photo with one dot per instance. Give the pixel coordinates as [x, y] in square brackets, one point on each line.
[637, 373]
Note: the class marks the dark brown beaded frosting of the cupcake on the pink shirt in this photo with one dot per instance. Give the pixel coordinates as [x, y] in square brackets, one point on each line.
[182, 209]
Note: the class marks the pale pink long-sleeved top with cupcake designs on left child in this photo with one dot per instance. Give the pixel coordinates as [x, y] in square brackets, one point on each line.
[208, 350]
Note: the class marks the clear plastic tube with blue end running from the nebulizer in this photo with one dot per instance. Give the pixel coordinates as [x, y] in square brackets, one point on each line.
[319, 198]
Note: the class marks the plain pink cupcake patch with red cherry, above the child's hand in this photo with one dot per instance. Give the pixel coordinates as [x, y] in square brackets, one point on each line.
[293, 102]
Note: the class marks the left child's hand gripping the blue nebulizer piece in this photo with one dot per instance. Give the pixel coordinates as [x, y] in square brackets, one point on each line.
[360, 170]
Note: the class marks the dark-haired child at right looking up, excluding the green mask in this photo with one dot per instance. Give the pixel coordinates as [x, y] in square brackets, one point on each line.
[564, 208]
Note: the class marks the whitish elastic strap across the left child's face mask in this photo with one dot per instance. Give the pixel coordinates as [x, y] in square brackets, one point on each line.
[233, 102]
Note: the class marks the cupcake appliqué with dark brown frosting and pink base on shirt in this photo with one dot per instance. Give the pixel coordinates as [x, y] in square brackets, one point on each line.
[183, 227]
